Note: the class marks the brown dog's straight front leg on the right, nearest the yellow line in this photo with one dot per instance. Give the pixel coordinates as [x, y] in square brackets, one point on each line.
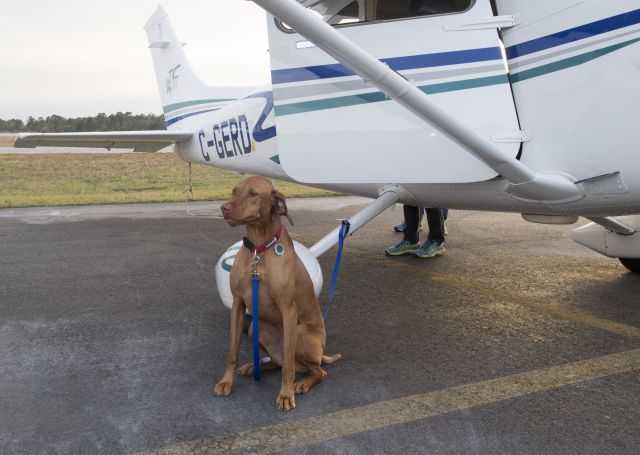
[287, 398]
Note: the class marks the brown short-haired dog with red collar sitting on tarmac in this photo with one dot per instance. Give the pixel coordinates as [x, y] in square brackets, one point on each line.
[291, 328]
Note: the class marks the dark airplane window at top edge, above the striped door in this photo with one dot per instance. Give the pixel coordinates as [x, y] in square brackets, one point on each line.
[342, 12]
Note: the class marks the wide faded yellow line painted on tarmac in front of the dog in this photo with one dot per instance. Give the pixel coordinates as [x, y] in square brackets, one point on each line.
[320, 429]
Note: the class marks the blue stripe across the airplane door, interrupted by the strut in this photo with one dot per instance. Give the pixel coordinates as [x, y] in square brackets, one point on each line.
[397, 63]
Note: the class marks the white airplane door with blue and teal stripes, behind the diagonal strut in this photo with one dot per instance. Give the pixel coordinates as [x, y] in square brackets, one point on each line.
[333, 127]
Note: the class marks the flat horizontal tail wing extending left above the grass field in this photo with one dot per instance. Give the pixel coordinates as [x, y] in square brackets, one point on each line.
[139, 141]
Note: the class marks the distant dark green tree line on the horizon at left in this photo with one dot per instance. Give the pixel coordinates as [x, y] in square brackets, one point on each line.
[121, 121]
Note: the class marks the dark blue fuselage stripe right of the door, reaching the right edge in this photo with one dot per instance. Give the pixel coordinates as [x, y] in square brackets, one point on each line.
[574, 34]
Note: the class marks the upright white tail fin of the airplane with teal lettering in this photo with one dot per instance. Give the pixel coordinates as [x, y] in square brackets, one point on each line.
[182, 93]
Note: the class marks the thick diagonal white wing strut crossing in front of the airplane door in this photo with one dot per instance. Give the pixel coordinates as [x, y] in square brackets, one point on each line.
[525, 183]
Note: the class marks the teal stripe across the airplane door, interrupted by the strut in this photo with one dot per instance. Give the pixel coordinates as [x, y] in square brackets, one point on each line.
[375, 97]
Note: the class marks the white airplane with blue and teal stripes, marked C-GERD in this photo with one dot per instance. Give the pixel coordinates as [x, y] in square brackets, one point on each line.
[505, 105]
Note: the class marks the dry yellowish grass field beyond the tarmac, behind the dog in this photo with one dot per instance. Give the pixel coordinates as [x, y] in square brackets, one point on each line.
[80, 179]
